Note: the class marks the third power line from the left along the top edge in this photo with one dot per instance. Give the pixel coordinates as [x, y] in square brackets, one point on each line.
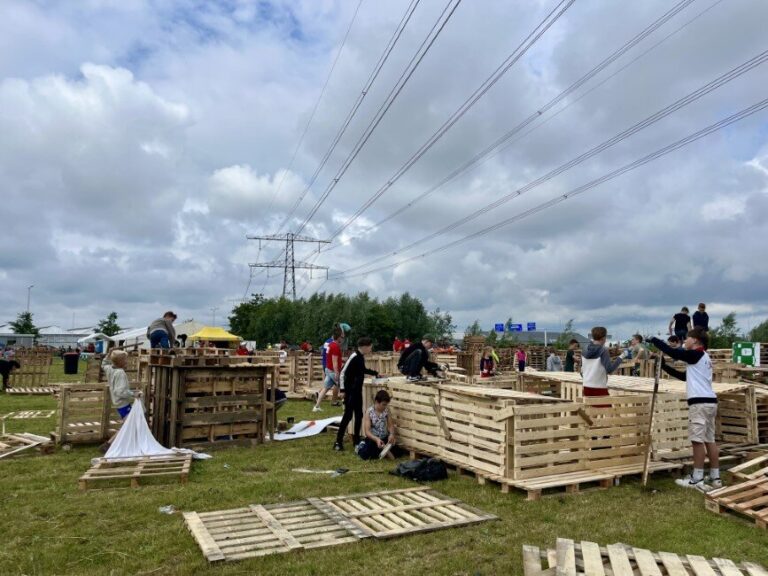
[405, 76]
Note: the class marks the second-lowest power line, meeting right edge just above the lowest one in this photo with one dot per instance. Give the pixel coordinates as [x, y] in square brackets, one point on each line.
[650, 120]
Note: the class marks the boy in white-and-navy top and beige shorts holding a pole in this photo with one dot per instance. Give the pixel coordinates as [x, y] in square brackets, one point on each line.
[702, 406]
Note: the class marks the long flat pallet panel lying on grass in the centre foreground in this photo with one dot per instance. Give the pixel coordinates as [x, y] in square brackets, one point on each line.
[319, 522]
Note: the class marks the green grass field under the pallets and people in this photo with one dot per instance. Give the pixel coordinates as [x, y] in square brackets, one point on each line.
[50, 527]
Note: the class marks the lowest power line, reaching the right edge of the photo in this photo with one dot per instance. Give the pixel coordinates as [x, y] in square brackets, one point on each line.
[725, 122]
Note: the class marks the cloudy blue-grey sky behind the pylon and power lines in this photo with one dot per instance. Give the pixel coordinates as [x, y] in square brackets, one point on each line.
[140, 141]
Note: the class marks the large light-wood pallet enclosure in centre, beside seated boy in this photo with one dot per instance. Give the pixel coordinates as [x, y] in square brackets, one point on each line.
[523, 440]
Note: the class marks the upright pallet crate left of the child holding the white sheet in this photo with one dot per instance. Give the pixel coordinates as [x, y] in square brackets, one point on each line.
[85, 414]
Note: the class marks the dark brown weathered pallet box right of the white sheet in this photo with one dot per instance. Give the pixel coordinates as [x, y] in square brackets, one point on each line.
[203, 405]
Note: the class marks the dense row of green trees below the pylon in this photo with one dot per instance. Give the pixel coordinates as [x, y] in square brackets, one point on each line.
[269, 320]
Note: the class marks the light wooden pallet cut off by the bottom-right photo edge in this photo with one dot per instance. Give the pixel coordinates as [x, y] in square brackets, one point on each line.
[589, 559]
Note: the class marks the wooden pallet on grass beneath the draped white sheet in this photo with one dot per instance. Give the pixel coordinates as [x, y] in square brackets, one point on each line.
[135, 471]
